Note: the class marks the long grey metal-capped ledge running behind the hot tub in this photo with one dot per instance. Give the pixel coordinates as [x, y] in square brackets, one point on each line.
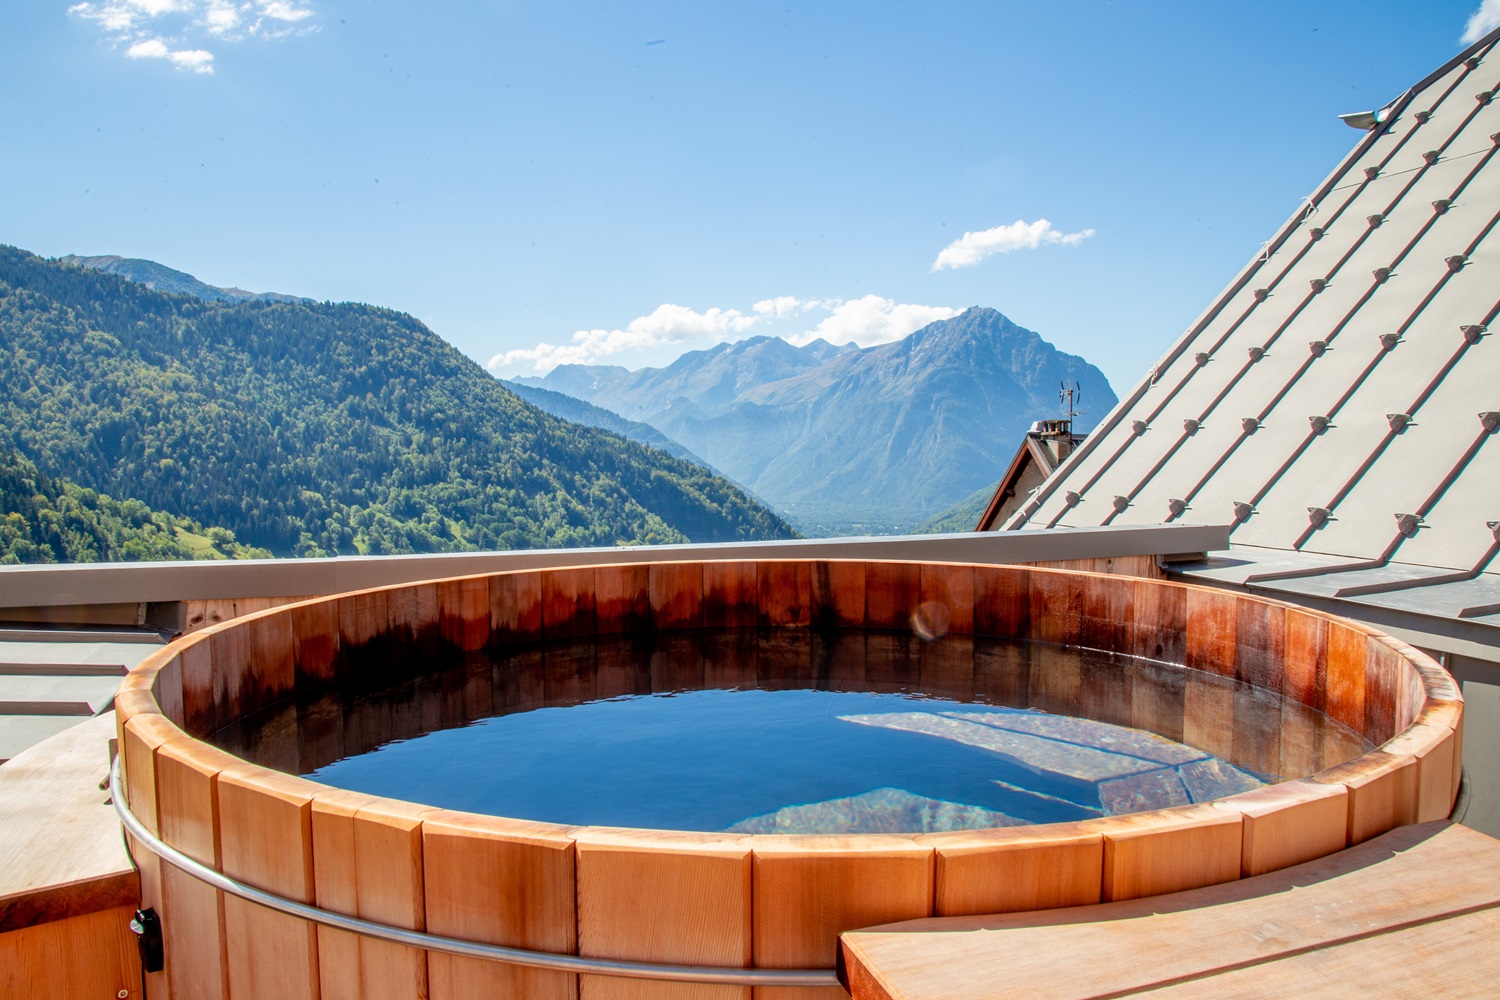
[154, 582]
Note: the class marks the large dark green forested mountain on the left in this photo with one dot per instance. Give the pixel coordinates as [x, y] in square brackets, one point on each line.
[320, 430]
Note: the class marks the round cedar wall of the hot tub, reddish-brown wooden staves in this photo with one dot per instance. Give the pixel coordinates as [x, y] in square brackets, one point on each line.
[721, 899]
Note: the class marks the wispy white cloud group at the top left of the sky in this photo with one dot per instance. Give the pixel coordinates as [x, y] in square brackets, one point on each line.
[176, 31]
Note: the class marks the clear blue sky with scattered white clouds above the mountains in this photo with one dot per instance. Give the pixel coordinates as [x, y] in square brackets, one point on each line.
[547, 182]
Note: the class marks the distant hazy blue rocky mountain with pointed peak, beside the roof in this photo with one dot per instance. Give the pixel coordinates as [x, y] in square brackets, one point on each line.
[880, 439]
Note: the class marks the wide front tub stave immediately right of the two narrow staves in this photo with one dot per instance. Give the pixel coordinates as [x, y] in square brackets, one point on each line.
[499, 882]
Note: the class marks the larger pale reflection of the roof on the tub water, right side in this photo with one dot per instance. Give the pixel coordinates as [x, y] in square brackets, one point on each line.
[1129, 770]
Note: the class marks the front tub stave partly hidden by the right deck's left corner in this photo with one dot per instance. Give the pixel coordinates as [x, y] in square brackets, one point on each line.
[812, 890]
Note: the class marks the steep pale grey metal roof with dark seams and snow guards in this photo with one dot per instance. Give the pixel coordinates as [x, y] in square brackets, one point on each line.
[1342, 398]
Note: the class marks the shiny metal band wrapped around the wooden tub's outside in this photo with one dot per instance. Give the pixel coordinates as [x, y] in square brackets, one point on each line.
[718, 975]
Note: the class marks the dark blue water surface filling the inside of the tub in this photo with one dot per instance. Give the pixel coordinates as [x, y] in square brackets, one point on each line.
[1036, 732]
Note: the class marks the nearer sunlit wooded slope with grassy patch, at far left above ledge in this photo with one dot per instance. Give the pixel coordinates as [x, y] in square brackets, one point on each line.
[55, 521]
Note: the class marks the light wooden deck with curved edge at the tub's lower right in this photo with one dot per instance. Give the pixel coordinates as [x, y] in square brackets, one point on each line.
[1415, 912]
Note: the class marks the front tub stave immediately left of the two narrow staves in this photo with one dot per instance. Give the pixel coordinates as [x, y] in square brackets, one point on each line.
[266, 840]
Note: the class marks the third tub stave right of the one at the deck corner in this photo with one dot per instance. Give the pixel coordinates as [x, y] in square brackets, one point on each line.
[1289, 824]
